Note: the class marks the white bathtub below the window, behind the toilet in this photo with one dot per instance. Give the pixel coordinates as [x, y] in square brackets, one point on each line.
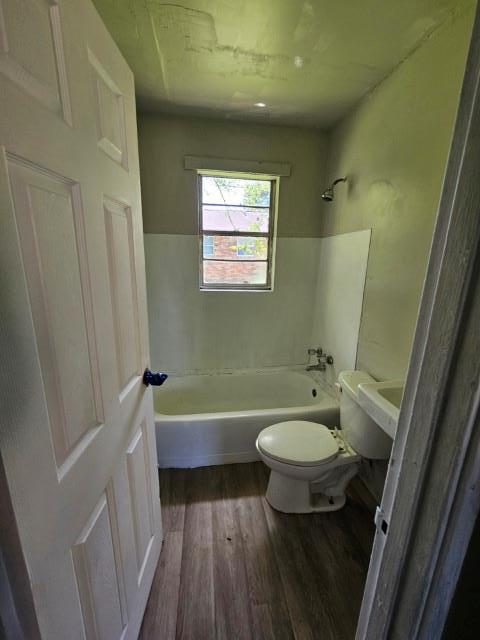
[210, 419]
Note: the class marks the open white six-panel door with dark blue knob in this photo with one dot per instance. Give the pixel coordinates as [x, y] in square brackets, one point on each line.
[77, 436]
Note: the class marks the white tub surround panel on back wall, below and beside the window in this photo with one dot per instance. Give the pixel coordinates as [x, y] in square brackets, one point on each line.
[210, 330]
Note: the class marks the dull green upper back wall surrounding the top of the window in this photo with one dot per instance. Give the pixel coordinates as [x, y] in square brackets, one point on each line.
[169, 191]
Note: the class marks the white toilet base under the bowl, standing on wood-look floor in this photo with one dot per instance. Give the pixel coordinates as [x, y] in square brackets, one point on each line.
[289, 495]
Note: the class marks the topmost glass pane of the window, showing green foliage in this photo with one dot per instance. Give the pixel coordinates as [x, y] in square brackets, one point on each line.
[239, 191]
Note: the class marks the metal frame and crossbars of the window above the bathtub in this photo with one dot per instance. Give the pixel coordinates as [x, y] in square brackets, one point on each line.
[270, 235]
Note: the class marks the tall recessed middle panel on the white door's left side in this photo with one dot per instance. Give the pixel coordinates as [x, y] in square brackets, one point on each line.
[50, 222]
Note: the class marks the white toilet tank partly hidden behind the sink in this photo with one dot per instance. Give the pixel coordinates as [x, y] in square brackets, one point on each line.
[363, 433]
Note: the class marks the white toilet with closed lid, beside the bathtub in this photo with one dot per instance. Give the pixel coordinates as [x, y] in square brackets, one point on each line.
[311, 464]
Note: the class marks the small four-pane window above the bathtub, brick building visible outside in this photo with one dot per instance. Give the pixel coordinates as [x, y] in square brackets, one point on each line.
[236, 231]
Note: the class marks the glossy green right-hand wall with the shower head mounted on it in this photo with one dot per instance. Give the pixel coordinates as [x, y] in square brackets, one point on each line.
[393, 146]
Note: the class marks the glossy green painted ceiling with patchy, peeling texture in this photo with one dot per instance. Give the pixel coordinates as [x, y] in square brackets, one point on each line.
[308, 61]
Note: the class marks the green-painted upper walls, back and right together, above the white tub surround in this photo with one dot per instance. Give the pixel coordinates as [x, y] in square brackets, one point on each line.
[393, 146]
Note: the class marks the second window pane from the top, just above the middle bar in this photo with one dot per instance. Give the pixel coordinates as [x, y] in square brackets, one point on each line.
[235, 219]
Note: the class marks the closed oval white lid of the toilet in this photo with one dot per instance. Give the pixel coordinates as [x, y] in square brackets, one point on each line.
[298, 442]
